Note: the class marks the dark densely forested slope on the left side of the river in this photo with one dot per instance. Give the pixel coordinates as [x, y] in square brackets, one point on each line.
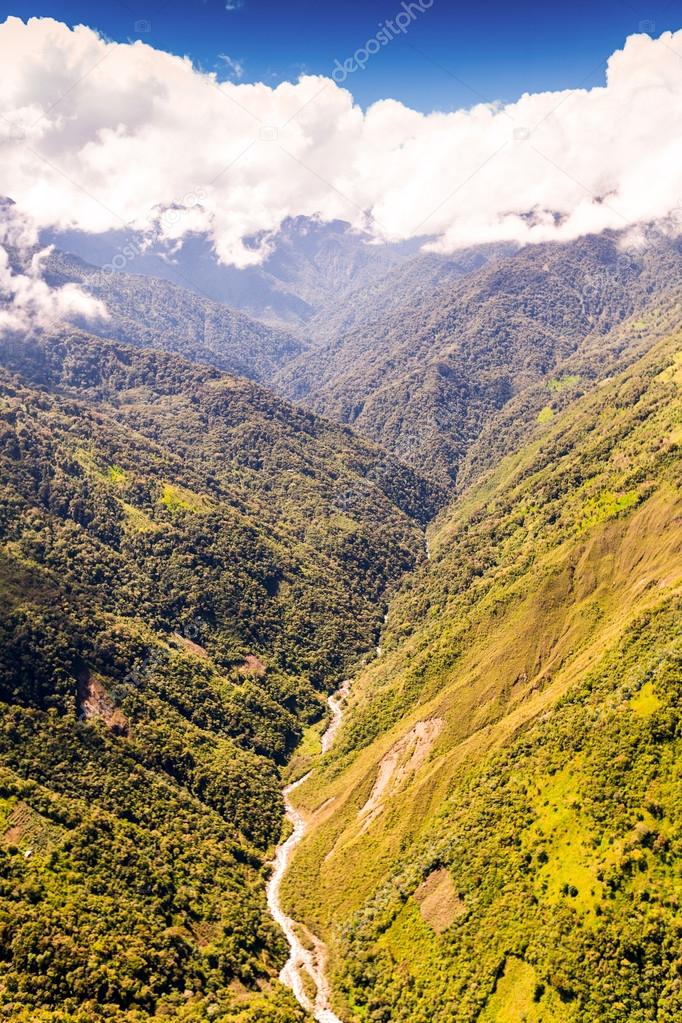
[188, 565]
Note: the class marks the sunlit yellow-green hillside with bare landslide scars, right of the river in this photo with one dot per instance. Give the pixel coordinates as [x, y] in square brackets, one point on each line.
[495, 837]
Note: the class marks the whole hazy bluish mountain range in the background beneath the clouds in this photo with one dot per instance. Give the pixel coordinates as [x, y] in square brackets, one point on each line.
[416, 351]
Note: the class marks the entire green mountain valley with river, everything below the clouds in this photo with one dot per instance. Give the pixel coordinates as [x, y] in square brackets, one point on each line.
[340, 671]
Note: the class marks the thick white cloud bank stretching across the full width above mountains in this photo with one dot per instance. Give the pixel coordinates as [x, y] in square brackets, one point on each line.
[96, 136]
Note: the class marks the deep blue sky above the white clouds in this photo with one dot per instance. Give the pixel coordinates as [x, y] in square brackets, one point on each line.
[452, 55]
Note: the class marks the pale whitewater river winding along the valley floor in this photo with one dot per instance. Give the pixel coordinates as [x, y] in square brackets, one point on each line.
[309, 959]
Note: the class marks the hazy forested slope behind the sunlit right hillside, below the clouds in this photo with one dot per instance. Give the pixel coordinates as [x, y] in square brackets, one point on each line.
[426, 367]
